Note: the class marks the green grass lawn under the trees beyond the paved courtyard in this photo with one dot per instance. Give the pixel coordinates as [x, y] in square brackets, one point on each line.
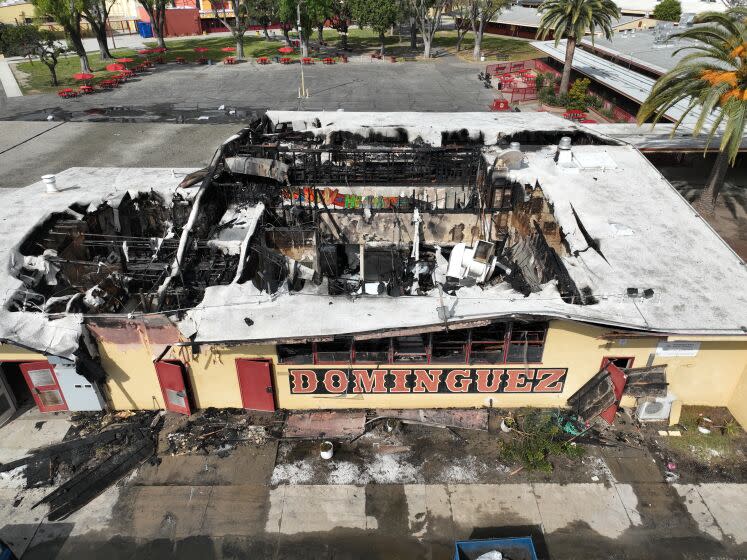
[34, 76]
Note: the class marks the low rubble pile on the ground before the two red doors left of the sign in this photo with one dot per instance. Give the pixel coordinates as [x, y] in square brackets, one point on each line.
[216, 431]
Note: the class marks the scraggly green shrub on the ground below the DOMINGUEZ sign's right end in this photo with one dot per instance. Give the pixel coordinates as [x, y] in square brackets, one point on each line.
[537, 439]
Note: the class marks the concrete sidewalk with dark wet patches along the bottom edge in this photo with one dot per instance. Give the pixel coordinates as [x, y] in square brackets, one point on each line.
[590, 521]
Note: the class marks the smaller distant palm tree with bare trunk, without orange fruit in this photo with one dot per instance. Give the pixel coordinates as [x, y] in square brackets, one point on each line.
[571, 19]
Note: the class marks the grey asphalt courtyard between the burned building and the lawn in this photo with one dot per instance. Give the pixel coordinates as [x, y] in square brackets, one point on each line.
[444, 84]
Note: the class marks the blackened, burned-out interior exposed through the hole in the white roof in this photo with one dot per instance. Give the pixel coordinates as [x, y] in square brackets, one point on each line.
[129, 255]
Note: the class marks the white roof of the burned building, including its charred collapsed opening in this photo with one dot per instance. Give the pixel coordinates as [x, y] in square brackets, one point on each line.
[309, 225]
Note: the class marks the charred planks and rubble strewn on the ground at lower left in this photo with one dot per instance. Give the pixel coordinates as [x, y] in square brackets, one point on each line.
[102, 448]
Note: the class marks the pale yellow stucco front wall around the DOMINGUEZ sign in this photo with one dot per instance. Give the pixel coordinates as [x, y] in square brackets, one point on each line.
[717, 375]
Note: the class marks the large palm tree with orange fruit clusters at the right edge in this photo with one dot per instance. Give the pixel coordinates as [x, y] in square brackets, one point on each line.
[713, 78]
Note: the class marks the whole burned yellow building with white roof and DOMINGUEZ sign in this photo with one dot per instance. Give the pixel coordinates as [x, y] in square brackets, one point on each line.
[364, 260]
